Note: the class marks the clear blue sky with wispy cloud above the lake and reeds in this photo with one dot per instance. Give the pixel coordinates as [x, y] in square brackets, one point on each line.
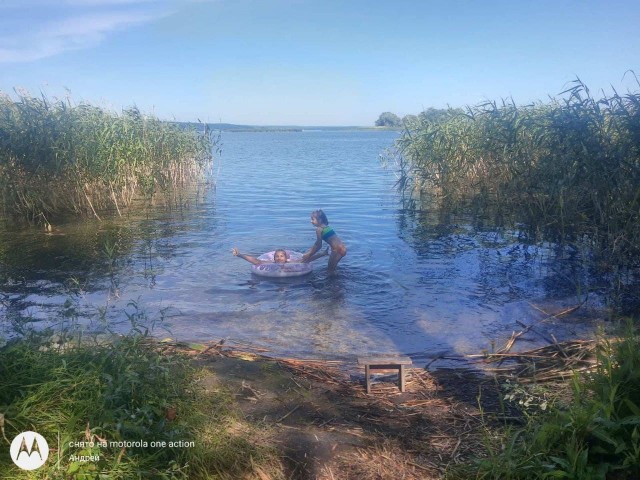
[312, 62]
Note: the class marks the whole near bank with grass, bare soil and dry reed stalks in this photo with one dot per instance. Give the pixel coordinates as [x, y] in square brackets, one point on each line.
[245, 415]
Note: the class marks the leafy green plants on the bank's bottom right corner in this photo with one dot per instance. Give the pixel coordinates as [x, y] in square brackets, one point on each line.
[596, 435]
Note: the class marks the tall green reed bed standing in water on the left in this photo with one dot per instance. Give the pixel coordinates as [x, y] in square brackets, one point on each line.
[57, 158]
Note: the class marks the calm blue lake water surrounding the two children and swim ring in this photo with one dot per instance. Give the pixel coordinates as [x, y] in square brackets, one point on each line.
[450, 284]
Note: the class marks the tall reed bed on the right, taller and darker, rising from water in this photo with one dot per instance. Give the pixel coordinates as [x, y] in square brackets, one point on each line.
[569, 168]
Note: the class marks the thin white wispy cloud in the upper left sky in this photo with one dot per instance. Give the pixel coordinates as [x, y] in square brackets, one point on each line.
[32, 34]
